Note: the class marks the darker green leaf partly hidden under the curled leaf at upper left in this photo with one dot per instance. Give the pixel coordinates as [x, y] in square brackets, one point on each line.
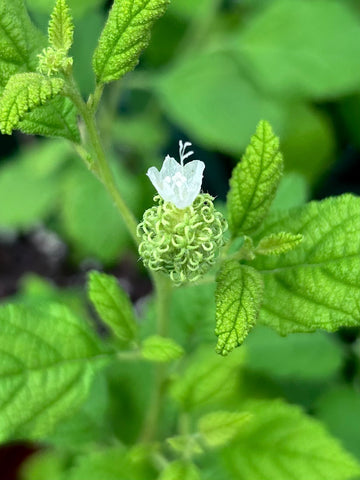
[58, 118]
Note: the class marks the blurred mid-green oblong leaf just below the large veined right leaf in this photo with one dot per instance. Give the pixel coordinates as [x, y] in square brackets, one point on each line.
[313, 357]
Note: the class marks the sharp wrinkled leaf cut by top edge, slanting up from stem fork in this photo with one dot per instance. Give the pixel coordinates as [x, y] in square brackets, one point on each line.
[125, 35]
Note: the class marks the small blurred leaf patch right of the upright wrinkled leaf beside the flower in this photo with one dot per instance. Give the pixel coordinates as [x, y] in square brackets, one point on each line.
[293, 191]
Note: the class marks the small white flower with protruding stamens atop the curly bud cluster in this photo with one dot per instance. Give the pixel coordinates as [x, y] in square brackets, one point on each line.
[178, 183]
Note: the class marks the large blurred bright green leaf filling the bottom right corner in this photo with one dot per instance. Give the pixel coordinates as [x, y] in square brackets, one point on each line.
[281, 442]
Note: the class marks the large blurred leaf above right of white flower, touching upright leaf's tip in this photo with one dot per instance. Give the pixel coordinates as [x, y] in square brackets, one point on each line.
[236, 107]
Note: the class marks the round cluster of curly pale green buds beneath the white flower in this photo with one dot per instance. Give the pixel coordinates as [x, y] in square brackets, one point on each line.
[182, 243]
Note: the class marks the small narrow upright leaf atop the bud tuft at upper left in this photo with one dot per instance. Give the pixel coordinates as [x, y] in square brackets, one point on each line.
[61, 27]
